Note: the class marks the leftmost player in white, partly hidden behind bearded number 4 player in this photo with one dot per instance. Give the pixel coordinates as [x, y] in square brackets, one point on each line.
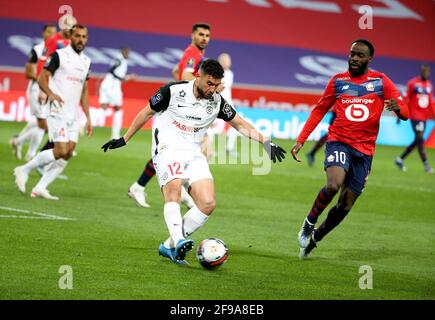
[32, 132]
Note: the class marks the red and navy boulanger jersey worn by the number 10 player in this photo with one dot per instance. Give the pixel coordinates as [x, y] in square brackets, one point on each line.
[358, 104]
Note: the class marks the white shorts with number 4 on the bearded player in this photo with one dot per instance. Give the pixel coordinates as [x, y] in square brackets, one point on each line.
[63, 130]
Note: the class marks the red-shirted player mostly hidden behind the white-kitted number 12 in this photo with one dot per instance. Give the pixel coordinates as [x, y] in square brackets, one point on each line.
[186, 70]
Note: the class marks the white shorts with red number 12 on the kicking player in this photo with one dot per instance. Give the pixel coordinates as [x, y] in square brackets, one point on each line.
[180, 164]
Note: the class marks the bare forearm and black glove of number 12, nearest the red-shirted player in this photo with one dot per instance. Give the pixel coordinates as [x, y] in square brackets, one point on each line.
[245, 128]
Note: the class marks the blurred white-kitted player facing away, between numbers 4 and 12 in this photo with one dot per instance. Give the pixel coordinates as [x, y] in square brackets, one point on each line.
[111, 90]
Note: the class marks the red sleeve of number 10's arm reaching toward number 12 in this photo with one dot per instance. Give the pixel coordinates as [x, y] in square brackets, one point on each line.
[318, 112]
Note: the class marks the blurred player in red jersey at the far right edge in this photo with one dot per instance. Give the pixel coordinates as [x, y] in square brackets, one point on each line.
[420, 103]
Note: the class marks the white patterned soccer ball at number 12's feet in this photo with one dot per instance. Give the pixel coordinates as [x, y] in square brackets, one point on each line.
[212, 253]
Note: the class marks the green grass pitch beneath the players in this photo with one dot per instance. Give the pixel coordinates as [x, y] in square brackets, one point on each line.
[111, 245]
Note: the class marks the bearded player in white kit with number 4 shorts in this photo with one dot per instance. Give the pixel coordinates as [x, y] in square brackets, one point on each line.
[64, 80]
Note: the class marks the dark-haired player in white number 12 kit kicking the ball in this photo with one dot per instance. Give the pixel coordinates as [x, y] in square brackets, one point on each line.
[184, 111]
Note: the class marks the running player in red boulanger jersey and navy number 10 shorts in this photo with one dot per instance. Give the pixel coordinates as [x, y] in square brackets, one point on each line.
[359, 96]
